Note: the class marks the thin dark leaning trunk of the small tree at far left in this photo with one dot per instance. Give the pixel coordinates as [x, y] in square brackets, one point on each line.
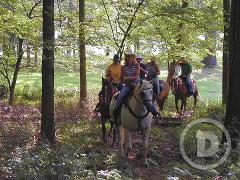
[16, 70]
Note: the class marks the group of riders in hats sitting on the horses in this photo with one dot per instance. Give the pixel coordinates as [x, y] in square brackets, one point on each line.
[126, 76]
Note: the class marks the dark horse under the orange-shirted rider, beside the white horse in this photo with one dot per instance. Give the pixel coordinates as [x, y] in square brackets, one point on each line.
[106, 94]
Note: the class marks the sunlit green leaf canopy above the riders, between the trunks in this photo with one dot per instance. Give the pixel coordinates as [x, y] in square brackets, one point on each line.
[156, 27]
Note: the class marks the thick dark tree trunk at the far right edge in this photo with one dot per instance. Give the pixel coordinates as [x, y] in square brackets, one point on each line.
[232, 119]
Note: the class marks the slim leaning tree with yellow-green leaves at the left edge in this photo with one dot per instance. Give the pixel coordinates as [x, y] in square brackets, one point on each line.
[24, 20]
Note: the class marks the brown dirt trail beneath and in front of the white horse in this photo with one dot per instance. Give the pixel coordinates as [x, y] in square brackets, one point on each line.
[161, 152]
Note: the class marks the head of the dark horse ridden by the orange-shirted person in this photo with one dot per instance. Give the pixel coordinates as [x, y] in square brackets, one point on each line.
[106, 91]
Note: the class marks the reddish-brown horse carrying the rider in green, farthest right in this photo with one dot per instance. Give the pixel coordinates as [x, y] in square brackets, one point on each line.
[180, 89]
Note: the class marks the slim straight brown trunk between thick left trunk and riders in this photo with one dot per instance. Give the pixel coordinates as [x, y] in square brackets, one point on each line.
[82, 52]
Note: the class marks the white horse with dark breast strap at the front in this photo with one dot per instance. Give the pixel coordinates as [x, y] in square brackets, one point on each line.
[135, 115]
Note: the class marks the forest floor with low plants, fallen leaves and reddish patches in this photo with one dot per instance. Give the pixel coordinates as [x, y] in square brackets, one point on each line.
[81, 154]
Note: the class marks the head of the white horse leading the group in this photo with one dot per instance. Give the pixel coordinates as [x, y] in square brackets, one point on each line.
[144, 94]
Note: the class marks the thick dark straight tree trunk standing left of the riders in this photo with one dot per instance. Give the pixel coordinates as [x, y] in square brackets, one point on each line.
[47, 120]
